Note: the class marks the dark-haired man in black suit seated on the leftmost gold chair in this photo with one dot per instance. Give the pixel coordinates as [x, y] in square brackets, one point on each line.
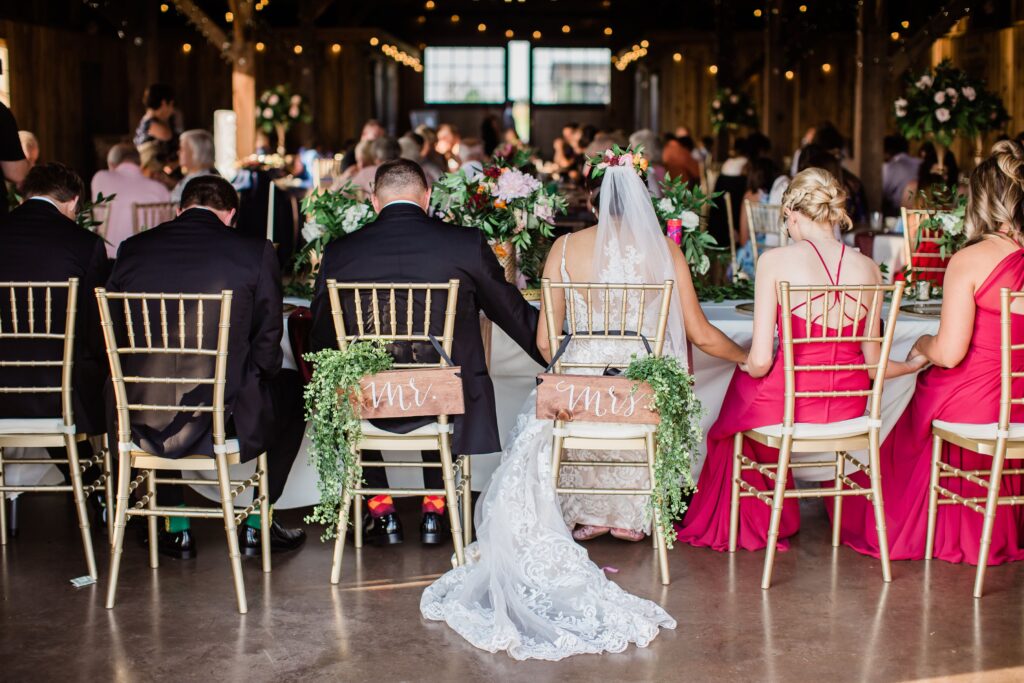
[41, 242]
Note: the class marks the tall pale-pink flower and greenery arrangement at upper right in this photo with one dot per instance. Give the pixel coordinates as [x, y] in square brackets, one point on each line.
[946, 103]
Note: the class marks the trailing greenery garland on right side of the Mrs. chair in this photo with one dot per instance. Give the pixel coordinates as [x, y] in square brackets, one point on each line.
[678, 436]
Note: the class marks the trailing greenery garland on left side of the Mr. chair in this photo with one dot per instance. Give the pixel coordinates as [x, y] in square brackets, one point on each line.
[336, 428]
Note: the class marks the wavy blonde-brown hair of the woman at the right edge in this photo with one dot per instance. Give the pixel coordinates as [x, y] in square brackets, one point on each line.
[996, 194]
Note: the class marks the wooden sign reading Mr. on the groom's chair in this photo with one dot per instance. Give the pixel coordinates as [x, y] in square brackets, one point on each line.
[410, 394]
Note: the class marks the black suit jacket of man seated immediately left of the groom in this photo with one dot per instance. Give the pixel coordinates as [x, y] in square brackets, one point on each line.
[197, 253]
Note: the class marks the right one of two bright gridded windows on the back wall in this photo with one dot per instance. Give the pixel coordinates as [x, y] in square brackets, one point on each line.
[572, 76]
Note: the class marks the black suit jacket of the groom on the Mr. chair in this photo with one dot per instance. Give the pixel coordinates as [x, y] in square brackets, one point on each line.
[405, 245]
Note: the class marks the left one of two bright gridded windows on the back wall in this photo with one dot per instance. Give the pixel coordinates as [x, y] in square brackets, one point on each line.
[460, 75]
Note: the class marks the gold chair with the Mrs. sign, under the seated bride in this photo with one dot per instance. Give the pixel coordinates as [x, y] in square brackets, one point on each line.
[614, 314]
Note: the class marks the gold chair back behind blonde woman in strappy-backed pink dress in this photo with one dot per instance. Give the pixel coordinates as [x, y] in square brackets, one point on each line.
[846, 314]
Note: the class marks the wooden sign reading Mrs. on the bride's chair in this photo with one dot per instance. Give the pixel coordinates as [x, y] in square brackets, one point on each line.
[594, 399]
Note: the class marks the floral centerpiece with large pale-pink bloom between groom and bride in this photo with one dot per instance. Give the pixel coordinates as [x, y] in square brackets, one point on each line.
[510, 207]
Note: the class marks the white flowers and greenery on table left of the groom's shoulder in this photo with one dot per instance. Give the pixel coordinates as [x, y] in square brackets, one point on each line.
[330, 216]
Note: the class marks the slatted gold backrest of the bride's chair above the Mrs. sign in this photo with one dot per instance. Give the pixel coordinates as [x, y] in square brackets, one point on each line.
[614, 313]
